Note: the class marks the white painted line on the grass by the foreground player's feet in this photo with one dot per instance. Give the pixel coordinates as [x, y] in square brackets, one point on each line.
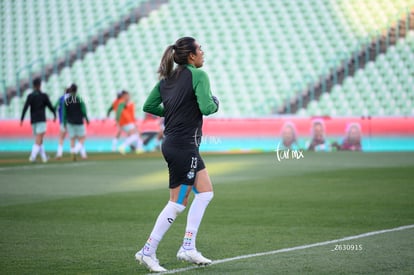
[301, 247]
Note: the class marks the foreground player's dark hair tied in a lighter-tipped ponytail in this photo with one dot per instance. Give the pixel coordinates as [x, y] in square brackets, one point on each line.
[177, 53]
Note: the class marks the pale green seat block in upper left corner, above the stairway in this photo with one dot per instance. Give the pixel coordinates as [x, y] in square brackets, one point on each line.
[35, 29]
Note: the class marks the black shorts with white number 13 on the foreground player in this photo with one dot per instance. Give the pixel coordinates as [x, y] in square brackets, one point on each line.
[183, 162]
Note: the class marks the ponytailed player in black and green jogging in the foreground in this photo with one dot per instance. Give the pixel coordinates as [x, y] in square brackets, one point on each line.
[184, 91]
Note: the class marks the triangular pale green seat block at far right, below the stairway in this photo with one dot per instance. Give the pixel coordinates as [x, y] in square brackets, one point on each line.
[383, 87]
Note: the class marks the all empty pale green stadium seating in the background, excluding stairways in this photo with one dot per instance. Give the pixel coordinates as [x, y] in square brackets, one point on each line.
[259, 54]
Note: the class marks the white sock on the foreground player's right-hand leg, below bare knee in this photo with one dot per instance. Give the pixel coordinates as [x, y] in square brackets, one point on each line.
[194, 217]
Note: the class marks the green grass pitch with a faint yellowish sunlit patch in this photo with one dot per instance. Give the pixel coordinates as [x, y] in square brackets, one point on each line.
[90, 217]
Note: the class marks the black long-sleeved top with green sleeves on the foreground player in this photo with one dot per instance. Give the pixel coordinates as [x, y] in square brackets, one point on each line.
[185, 98]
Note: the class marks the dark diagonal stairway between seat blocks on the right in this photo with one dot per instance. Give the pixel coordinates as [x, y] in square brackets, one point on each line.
[349, 67]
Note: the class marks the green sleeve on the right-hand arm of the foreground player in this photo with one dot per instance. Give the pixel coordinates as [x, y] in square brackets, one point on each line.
[207, 103]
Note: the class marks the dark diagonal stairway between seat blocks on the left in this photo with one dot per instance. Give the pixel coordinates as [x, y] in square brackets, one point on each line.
[82, 49]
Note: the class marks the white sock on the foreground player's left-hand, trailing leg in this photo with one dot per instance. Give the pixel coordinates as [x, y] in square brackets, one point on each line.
[164, 221]
